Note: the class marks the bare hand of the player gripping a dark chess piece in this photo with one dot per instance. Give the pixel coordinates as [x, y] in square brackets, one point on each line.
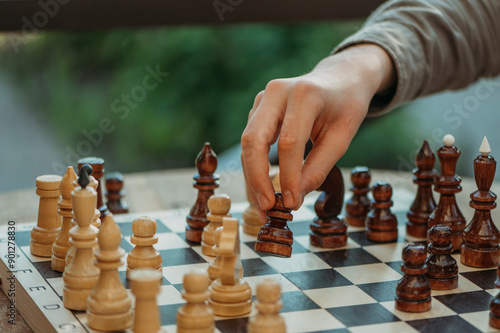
[327, 105]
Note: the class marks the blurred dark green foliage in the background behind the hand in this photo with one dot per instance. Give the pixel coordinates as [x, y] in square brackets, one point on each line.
[214, 75]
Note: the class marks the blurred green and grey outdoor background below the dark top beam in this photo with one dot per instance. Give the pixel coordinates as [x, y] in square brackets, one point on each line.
[147, 99]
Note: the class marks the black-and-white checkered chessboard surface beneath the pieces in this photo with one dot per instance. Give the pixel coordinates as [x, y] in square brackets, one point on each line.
[350, 289]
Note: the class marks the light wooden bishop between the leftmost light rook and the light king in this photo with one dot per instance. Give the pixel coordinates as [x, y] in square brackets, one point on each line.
[61, 245]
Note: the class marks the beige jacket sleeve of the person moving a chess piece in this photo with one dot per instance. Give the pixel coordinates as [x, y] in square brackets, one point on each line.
[435, 45]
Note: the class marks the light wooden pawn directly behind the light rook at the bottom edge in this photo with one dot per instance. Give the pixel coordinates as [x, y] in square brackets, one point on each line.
[144, 255]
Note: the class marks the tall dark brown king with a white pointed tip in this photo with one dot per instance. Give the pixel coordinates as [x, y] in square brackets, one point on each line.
[481, 237]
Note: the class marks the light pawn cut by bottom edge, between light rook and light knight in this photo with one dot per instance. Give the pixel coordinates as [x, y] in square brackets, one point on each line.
[195, 316]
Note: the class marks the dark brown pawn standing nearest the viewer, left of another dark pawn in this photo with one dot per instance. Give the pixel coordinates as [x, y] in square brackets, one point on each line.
[413, 293]
